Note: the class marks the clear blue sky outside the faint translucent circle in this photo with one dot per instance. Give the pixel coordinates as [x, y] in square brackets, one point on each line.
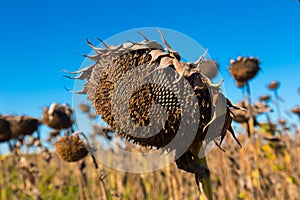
[40, 38]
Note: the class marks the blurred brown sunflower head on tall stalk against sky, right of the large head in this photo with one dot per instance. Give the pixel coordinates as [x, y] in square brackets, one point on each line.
[244, 69]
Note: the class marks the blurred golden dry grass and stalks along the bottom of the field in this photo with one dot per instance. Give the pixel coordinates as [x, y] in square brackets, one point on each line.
[260, 170]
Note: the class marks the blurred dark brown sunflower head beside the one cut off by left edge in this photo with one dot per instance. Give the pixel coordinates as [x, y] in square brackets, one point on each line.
[22, 125]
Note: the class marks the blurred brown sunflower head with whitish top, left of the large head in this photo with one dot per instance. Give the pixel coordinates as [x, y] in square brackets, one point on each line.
[58, 116]
